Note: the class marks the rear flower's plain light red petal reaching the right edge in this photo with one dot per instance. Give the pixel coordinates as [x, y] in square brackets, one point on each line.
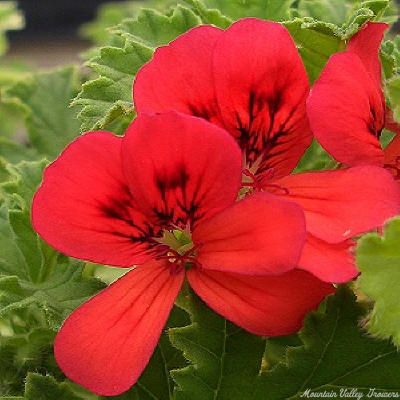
[344, 203]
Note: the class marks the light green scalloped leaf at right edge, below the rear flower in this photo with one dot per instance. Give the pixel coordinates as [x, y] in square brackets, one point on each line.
[378, 258]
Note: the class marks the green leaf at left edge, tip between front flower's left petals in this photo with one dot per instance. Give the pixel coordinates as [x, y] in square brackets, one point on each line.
[31, 272]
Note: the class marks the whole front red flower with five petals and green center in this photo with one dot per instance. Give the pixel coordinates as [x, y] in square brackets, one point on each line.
[164, 197]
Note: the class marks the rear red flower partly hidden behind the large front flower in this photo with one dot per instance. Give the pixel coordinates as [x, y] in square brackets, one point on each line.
[250, 80]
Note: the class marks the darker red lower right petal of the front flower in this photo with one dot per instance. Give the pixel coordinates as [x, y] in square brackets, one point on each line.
[264, 305]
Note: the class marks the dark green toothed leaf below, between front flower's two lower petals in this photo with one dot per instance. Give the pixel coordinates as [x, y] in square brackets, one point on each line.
[225, 360]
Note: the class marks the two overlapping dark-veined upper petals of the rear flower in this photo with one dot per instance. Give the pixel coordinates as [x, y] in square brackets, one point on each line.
[252, 72]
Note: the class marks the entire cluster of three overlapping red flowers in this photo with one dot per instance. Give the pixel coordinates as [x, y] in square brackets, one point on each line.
[201, 189]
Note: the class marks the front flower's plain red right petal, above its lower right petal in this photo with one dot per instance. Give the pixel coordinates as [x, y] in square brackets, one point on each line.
[259, 235]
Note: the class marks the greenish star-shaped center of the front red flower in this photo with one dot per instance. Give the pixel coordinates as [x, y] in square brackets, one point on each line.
[179, 249]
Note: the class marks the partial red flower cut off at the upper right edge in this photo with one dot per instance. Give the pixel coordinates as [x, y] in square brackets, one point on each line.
[347, 108]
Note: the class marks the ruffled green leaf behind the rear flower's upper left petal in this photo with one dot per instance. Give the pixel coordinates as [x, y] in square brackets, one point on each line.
[107, 100]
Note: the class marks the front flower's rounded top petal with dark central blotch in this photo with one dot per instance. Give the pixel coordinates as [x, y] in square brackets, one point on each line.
[180, 168]
